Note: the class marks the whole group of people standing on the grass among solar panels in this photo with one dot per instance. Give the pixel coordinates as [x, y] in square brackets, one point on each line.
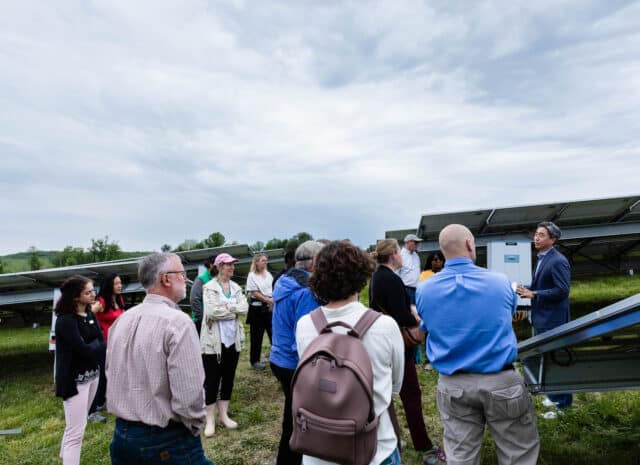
[157, 360]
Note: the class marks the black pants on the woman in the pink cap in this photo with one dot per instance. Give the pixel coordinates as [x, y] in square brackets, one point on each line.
[219, 374]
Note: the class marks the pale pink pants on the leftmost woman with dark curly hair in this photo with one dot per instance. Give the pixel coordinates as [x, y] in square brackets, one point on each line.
[76, 409]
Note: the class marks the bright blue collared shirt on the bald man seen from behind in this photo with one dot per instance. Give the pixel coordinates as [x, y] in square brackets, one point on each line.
[467, 311]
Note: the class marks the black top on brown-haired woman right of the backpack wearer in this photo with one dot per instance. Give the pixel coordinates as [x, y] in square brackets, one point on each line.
[388, 295]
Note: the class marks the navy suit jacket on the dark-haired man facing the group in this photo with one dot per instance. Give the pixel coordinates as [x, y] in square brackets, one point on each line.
[550, 306]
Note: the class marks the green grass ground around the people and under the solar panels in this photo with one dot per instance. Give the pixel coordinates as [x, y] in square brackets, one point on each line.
[600, 429]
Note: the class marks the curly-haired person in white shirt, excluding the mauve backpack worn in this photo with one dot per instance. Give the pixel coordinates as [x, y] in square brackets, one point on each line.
[341, 272]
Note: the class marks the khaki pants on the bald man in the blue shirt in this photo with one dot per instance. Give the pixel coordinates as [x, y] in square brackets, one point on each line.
[468, 401]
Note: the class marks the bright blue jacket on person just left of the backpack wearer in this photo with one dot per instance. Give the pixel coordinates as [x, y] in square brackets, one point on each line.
[292, 300]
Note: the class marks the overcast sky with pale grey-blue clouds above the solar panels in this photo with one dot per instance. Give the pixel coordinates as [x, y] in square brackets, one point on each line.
[154, 122]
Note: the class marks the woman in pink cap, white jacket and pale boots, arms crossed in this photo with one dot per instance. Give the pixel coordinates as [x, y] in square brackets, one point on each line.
[221, 339]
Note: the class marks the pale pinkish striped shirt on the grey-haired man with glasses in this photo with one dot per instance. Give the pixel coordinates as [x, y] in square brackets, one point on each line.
[154, 366]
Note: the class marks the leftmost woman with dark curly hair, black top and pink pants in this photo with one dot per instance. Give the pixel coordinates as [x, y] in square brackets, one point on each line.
[79, 346]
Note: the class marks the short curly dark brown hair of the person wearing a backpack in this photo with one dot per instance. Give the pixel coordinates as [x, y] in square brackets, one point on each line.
[341, 270]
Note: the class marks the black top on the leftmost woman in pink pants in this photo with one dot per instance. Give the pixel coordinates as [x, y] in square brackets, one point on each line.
[79, 346]
